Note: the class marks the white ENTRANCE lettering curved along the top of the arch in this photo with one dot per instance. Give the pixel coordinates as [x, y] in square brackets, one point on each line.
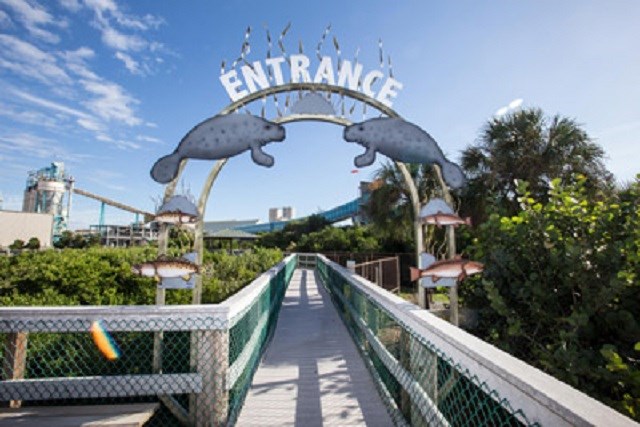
[297, 67]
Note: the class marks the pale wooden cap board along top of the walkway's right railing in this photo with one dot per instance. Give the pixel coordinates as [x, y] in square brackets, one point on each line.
[540, 396]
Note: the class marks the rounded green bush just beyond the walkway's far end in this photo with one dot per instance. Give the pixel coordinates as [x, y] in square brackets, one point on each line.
[348, 239]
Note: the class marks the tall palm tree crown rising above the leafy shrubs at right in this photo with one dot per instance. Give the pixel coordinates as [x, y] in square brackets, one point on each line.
[526, 146]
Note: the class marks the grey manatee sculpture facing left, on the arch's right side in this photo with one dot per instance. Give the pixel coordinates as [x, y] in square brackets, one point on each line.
[401, 141]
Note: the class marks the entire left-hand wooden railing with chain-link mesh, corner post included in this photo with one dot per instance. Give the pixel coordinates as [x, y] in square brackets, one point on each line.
[199, 371]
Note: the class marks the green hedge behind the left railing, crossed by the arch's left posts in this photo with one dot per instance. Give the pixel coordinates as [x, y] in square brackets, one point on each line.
[103, 276]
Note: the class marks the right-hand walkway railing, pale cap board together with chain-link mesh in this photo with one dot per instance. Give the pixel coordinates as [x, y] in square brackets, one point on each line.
[375, 315]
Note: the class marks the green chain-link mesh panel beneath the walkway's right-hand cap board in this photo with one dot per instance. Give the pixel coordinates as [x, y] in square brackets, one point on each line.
[421, 385]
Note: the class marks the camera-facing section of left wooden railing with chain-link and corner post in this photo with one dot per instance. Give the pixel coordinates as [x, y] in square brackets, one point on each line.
[64, 366]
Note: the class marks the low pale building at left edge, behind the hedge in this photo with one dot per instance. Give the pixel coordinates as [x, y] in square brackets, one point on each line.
[24, 226]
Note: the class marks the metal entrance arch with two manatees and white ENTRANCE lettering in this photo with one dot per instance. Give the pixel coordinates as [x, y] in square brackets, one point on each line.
[314, 89]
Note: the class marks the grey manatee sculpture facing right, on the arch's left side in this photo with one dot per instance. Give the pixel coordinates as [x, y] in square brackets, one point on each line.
[220, 137]
